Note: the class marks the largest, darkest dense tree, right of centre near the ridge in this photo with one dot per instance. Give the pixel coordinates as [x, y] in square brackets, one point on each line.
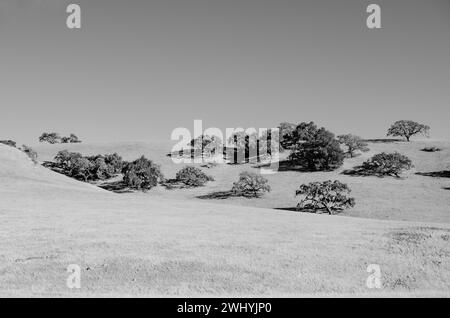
[319, 152]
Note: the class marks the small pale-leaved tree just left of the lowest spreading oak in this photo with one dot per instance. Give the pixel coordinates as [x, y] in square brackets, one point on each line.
[250, 185]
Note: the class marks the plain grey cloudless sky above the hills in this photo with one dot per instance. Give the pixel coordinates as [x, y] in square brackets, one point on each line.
[138, 69]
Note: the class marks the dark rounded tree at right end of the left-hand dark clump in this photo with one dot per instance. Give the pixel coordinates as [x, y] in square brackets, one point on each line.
[141, 174]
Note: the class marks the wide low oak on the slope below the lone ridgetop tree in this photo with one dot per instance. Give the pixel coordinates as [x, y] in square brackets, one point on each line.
[386, 164]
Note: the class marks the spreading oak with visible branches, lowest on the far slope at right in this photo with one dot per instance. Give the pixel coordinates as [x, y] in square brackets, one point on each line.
[331, 195]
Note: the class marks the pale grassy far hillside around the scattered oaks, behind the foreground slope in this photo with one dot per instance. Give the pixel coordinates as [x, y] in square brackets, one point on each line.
[413, 198]
